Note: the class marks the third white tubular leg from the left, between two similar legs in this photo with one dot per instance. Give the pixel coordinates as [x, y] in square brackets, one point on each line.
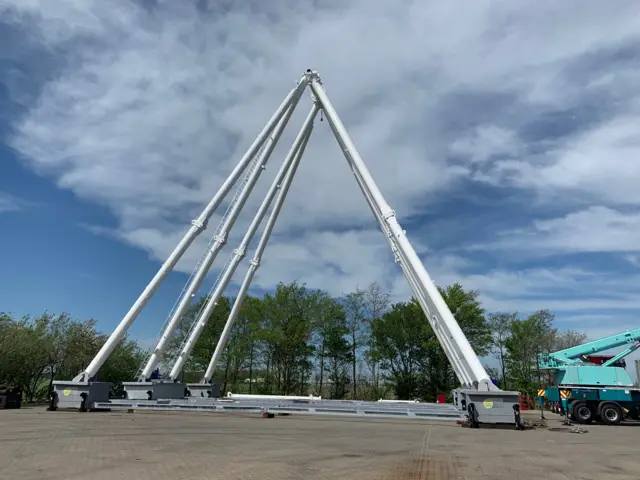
[226, 276]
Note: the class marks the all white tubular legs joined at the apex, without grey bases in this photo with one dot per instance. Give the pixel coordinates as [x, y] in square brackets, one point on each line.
[463, 359]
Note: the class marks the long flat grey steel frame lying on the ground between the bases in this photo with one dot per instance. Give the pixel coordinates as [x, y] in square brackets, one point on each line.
[429, 411]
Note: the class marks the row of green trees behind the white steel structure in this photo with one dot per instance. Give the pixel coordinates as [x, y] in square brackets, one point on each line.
[300, 341]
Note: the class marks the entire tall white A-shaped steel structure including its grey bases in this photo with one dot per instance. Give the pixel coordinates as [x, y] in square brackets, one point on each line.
[477, 399]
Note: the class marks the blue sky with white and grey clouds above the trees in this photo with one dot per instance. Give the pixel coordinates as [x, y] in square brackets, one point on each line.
[504, 135]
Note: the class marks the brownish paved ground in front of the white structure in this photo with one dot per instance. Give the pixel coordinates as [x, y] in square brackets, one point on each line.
[35, 444]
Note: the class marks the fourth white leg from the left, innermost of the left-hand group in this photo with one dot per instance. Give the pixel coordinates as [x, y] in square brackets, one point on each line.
[255, 263]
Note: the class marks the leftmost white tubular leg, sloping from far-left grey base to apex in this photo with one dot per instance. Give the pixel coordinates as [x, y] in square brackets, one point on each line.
[197, 226]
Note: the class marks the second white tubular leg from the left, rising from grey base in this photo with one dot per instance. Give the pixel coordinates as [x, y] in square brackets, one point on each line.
[220, 241]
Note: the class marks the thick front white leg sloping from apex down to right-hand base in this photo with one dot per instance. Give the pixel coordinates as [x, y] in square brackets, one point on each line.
[404, 245]
